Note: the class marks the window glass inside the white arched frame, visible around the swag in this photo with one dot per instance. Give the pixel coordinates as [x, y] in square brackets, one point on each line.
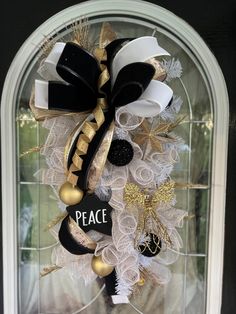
[58, 293]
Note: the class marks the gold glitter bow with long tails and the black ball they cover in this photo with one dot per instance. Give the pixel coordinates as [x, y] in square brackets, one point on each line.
[149, 221]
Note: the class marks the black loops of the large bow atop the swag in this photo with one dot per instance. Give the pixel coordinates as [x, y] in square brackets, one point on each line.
[80, 70]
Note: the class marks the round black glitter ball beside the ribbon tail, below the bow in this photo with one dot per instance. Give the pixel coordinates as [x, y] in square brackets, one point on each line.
[121, 153]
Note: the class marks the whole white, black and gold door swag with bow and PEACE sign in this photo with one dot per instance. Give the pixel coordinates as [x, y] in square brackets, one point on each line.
[110, 152]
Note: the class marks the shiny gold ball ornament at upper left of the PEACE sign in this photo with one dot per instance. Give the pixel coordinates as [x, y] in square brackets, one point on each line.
[69, 194]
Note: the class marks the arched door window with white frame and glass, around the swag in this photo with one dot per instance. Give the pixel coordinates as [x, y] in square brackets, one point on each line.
[196, 283]
